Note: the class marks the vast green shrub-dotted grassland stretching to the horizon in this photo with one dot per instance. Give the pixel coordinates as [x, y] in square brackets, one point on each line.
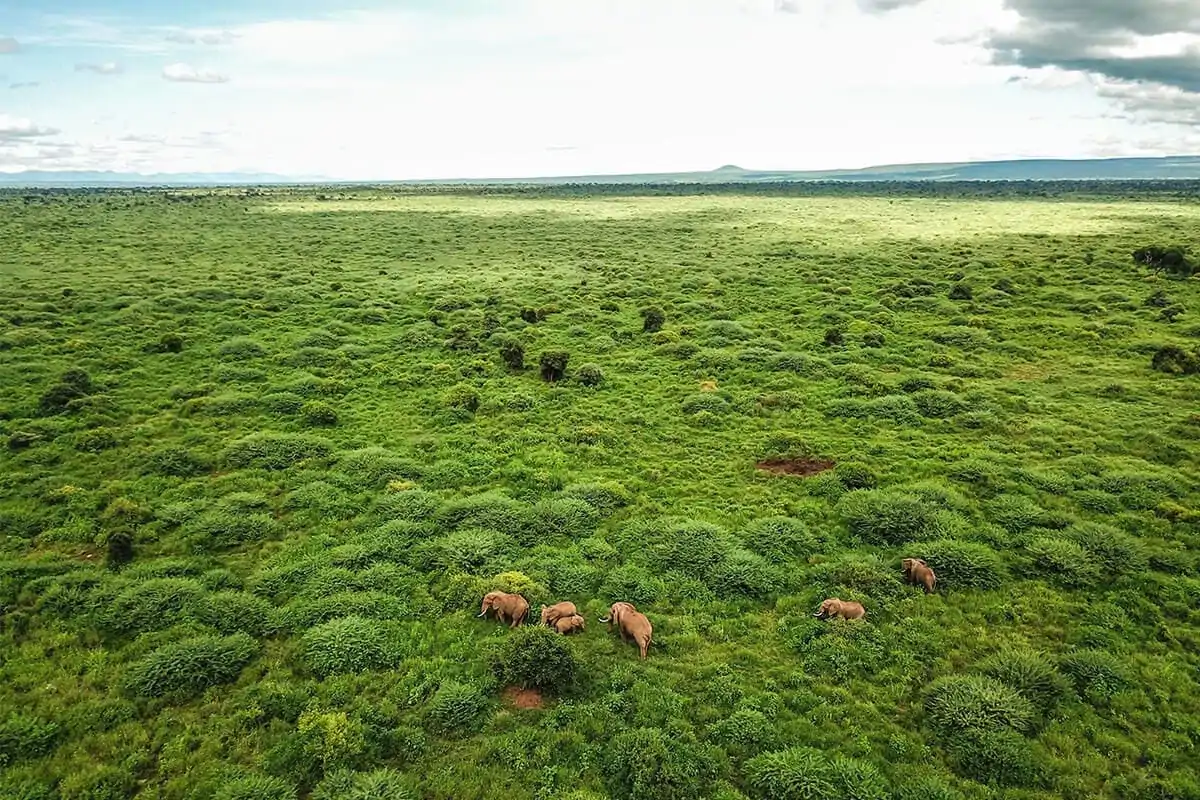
[265, 452]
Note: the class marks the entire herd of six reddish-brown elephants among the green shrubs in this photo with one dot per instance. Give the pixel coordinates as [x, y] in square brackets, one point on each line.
[633, 624]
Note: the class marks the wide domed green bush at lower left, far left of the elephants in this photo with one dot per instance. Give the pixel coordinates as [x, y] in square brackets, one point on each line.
[187, 669]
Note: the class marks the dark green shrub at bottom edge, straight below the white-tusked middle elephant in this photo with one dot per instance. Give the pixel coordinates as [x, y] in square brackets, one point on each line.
[653, 765]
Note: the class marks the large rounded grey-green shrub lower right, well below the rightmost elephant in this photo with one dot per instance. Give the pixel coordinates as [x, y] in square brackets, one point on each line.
[963, 706]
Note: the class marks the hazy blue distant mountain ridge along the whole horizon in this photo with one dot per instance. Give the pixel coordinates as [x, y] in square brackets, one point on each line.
[1027, 170]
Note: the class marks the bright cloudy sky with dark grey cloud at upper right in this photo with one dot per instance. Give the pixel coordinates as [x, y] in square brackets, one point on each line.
[503, 88]
